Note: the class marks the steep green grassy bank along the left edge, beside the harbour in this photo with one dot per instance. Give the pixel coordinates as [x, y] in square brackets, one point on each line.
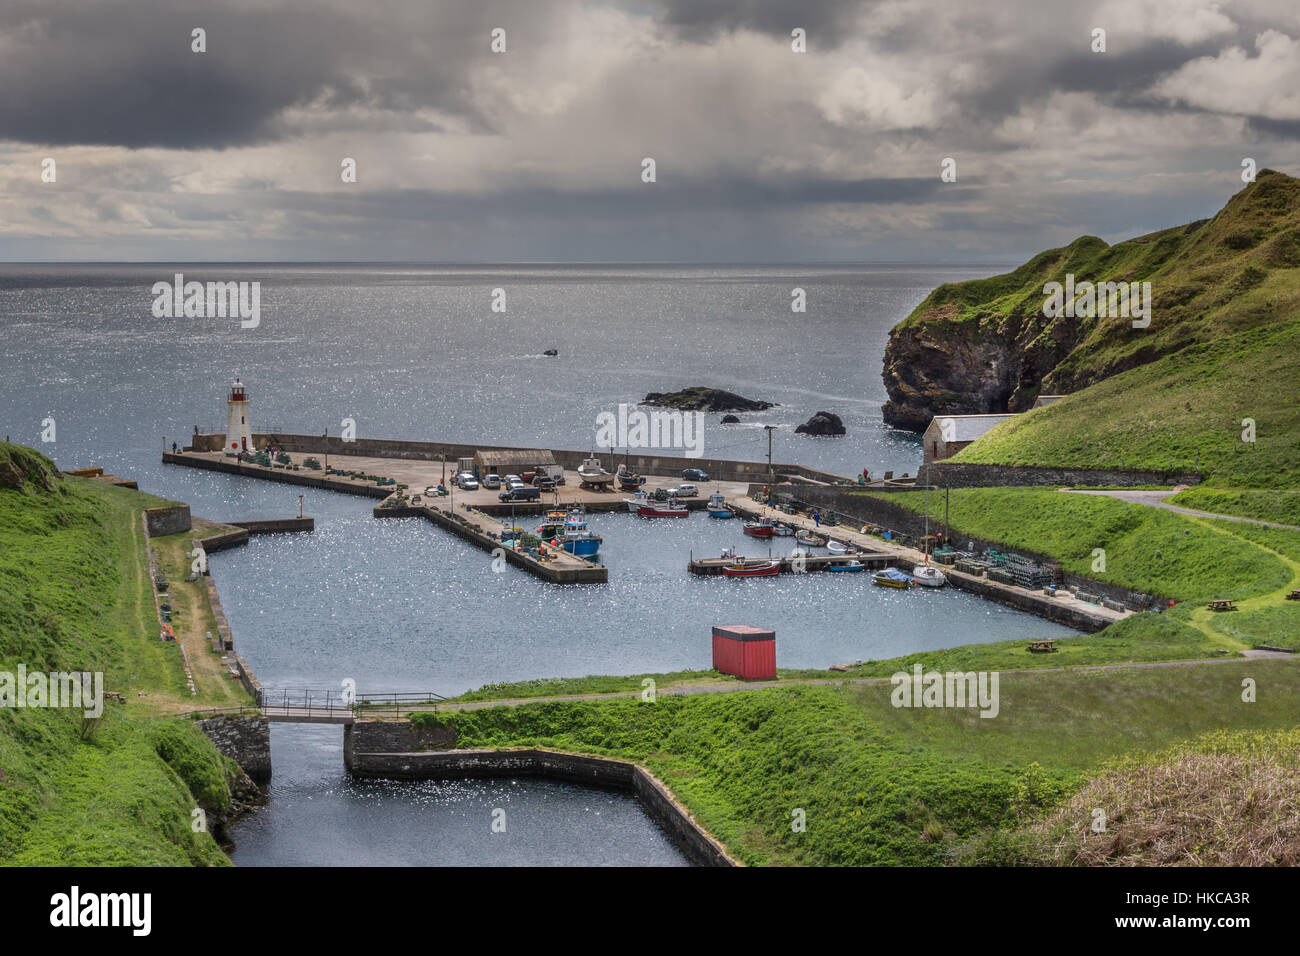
[75, 595]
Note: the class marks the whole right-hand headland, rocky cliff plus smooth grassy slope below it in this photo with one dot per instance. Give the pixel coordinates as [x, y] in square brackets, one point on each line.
[1224, 345]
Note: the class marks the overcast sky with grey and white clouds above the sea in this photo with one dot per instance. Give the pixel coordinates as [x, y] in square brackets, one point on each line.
[536, 154]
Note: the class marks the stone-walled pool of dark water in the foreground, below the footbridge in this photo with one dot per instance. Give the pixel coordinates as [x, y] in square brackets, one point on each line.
[320, 817]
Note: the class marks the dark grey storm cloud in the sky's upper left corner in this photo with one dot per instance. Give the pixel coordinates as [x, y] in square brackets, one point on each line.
[124, 73]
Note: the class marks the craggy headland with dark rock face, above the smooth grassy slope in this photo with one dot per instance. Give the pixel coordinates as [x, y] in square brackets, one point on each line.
[987, 345]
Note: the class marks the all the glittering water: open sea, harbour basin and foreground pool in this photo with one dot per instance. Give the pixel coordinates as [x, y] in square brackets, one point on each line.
[417, 353]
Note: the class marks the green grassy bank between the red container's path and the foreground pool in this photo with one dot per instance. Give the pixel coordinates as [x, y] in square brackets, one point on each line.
[882, 785]
